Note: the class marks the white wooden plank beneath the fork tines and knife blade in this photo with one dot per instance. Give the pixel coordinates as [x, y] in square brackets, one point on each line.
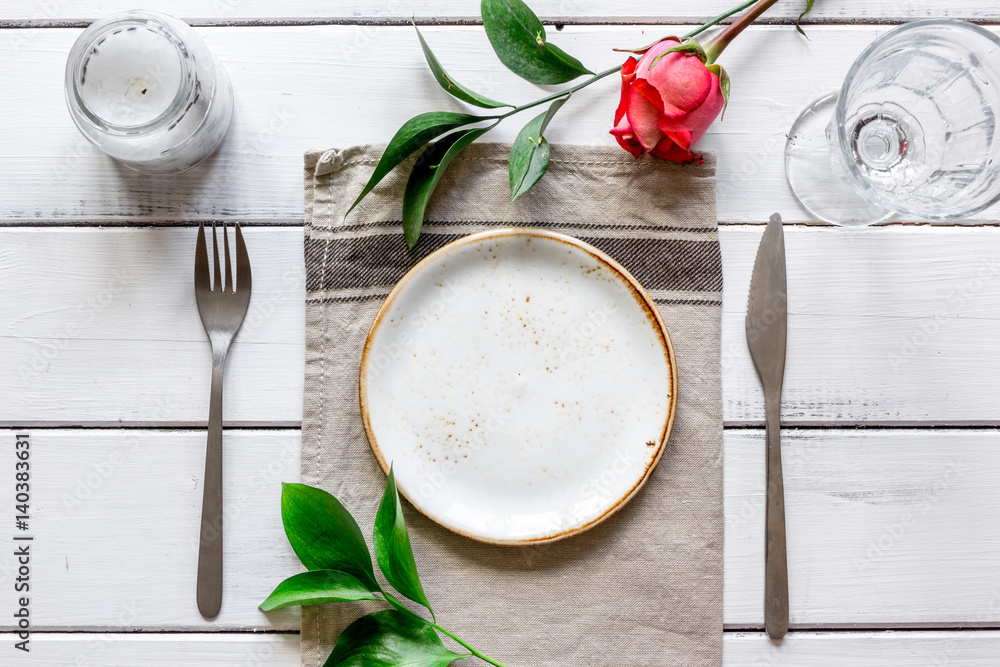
[887, 325]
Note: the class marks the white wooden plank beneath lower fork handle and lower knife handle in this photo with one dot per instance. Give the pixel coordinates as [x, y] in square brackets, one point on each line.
[885, 527]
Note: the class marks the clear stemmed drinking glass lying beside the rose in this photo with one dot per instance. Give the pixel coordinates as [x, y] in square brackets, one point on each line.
[913, 130]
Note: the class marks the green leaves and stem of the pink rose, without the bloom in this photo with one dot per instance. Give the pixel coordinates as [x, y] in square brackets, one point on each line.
[519, 40]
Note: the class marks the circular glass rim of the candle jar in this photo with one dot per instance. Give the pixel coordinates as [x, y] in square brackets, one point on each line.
[86, 40]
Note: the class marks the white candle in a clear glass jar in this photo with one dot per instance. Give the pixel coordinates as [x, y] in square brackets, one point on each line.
[144, 88]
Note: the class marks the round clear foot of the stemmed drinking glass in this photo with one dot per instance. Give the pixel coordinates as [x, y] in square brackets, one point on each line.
[810, 173]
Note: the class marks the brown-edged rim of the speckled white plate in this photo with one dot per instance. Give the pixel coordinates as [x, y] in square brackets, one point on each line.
[640, 294]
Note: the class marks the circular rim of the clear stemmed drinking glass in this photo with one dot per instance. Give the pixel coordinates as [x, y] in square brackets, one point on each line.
[840, 112]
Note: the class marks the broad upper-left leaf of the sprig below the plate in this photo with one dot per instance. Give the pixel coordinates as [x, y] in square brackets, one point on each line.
[323, 533]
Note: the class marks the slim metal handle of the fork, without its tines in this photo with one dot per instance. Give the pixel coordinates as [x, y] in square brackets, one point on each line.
[210, 548]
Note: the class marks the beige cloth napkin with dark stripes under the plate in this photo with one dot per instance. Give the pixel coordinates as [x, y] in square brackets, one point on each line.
[645, 587]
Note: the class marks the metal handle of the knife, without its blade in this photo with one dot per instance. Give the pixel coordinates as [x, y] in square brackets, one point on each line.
[775, 558]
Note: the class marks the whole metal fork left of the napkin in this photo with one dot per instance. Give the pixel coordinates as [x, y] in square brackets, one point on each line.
[222, 306]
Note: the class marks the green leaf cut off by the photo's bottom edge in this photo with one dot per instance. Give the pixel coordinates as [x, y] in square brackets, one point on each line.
[390, 639]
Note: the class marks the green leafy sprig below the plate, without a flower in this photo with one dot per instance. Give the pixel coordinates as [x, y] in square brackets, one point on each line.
[329, 542]
